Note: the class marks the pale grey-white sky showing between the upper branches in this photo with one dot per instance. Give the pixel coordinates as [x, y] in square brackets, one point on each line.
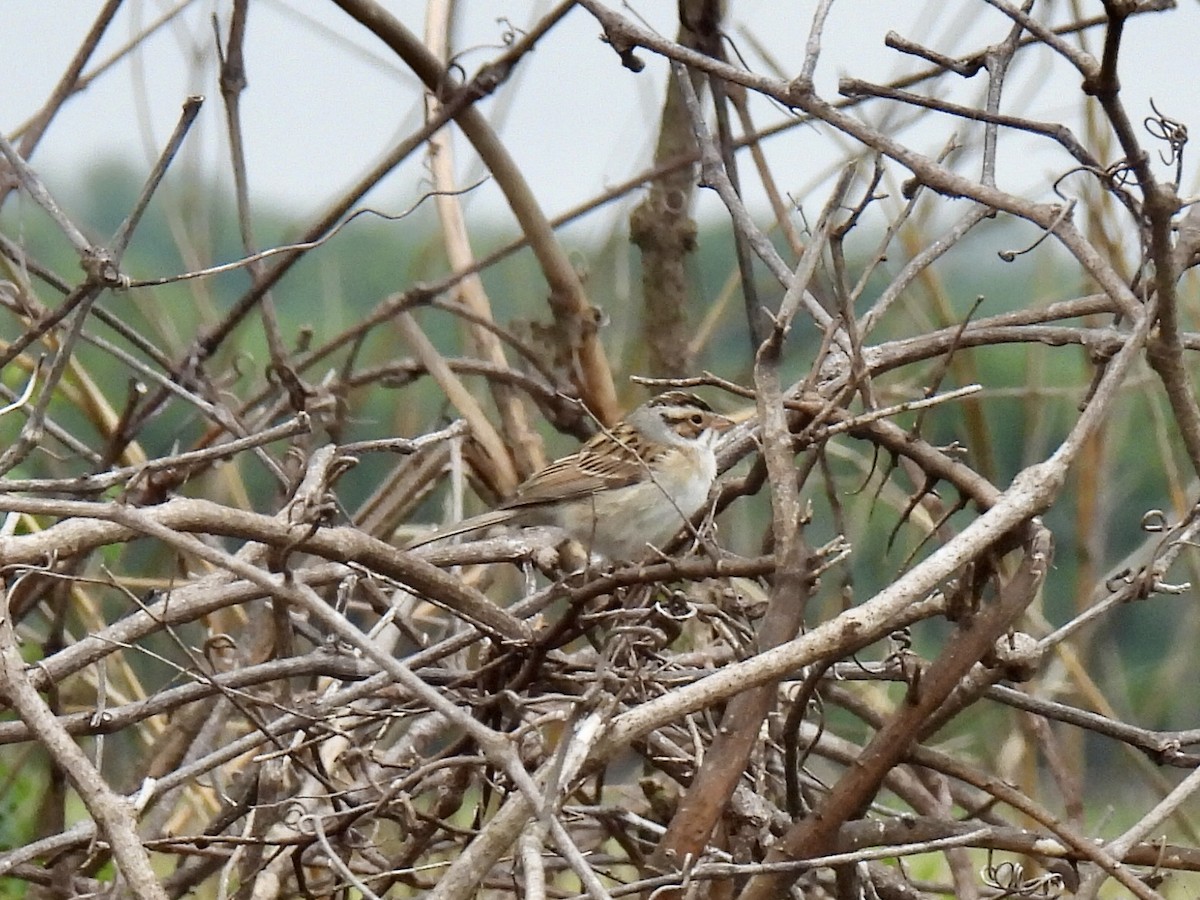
[326, 99]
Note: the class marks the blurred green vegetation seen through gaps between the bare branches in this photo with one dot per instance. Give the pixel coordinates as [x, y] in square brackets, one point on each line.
[370, 260]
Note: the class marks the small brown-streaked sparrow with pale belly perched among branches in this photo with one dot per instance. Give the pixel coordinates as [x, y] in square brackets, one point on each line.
[633, 485]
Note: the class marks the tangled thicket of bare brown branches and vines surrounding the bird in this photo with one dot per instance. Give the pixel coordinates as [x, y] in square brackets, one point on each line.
[856, 676]
